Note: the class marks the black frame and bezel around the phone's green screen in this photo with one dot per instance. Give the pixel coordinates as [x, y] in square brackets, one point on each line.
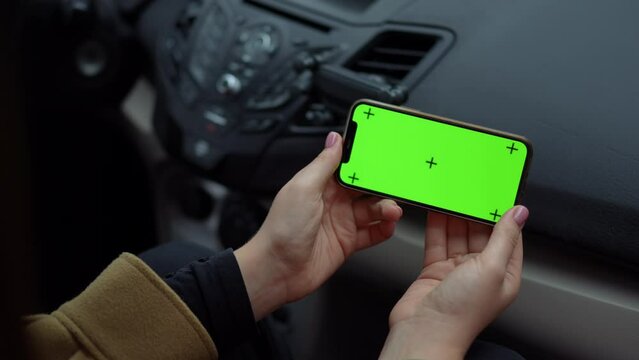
[348, 143]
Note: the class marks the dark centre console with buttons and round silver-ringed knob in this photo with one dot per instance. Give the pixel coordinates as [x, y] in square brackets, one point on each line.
[235, 78]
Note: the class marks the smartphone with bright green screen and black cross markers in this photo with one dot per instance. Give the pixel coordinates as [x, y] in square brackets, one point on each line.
[433, 162]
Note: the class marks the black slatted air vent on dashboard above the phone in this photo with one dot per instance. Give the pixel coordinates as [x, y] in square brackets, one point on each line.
[392, 54]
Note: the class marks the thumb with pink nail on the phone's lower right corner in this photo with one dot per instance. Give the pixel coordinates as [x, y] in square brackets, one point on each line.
[506, 235]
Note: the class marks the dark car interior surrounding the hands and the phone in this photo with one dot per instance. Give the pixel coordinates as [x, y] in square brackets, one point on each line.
[158, 121]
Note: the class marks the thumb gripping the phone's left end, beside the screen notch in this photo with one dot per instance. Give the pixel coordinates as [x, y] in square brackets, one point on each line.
[317, 173]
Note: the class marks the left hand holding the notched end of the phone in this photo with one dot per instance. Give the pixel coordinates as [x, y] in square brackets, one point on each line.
[313, 225]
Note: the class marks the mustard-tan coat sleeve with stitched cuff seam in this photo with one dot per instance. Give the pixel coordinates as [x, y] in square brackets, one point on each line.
[128, 312]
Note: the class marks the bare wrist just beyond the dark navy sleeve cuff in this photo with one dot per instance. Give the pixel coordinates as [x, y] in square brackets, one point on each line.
[263, 277]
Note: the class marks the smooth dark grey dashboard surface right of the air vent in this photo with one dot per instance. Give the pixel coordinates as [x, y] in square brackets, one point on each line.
[564, 75]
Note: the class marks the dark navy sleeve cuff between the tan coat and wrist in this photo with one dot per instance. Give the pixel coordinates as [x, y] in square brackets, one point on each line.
[214, 290]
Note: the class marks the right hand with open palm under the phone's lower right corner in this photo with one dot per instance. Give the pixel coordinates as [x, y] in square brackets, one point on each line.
[470, 276]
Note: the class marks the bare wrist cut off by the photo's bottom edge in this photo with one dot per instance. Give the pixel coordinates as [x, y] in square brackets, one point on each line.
[424, 339]
